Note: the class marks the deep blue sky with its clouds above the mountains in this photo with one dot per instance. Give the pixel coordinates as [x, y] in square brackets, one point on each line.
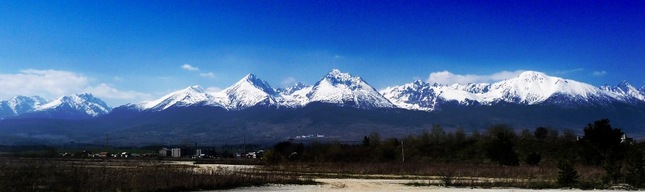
[129, 51]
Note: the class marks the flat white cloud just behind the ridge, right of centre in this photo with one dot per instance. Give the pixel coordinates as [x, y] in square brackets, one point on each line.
[447, 78]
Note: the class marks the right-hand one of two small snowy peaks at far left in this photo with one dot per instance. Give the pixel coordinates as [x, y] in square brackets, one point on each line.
[84, 103]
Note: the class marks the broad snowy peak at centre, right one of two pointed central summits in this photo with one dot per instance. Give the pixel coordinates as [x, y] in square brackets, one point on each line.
[344, 89]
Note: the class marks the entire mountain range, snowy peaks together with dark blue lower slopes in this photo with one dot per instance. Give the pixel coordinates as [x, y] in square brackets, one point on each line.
[400, 109]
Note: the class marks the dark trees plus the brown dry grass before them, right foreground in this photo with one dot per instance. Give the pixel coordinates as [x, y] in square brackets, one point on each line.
[602, 158]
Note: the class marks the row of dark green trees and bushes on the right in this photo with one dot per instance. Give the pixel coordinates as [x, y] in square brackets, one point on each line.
[601, 147]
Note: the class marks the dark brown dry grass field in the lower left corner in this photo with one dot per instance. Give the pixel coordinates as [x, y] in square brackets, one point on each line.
[29, 174]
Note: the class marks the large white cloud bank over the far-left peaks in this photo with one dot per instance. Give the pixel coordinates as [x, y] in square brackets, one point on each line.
[52, 84]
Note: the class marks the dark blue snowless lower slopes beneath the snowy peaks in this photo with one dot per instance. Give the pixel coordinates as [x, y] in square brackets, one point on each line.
[215, 125]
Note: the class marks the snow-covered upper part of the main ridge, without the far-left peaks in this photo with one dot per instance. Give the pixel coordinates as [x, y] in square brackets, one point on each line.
[343, 89]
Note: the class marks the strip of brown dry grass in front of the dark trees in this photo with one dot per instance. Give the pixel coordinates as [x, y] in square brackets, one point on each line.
[456, 175]
